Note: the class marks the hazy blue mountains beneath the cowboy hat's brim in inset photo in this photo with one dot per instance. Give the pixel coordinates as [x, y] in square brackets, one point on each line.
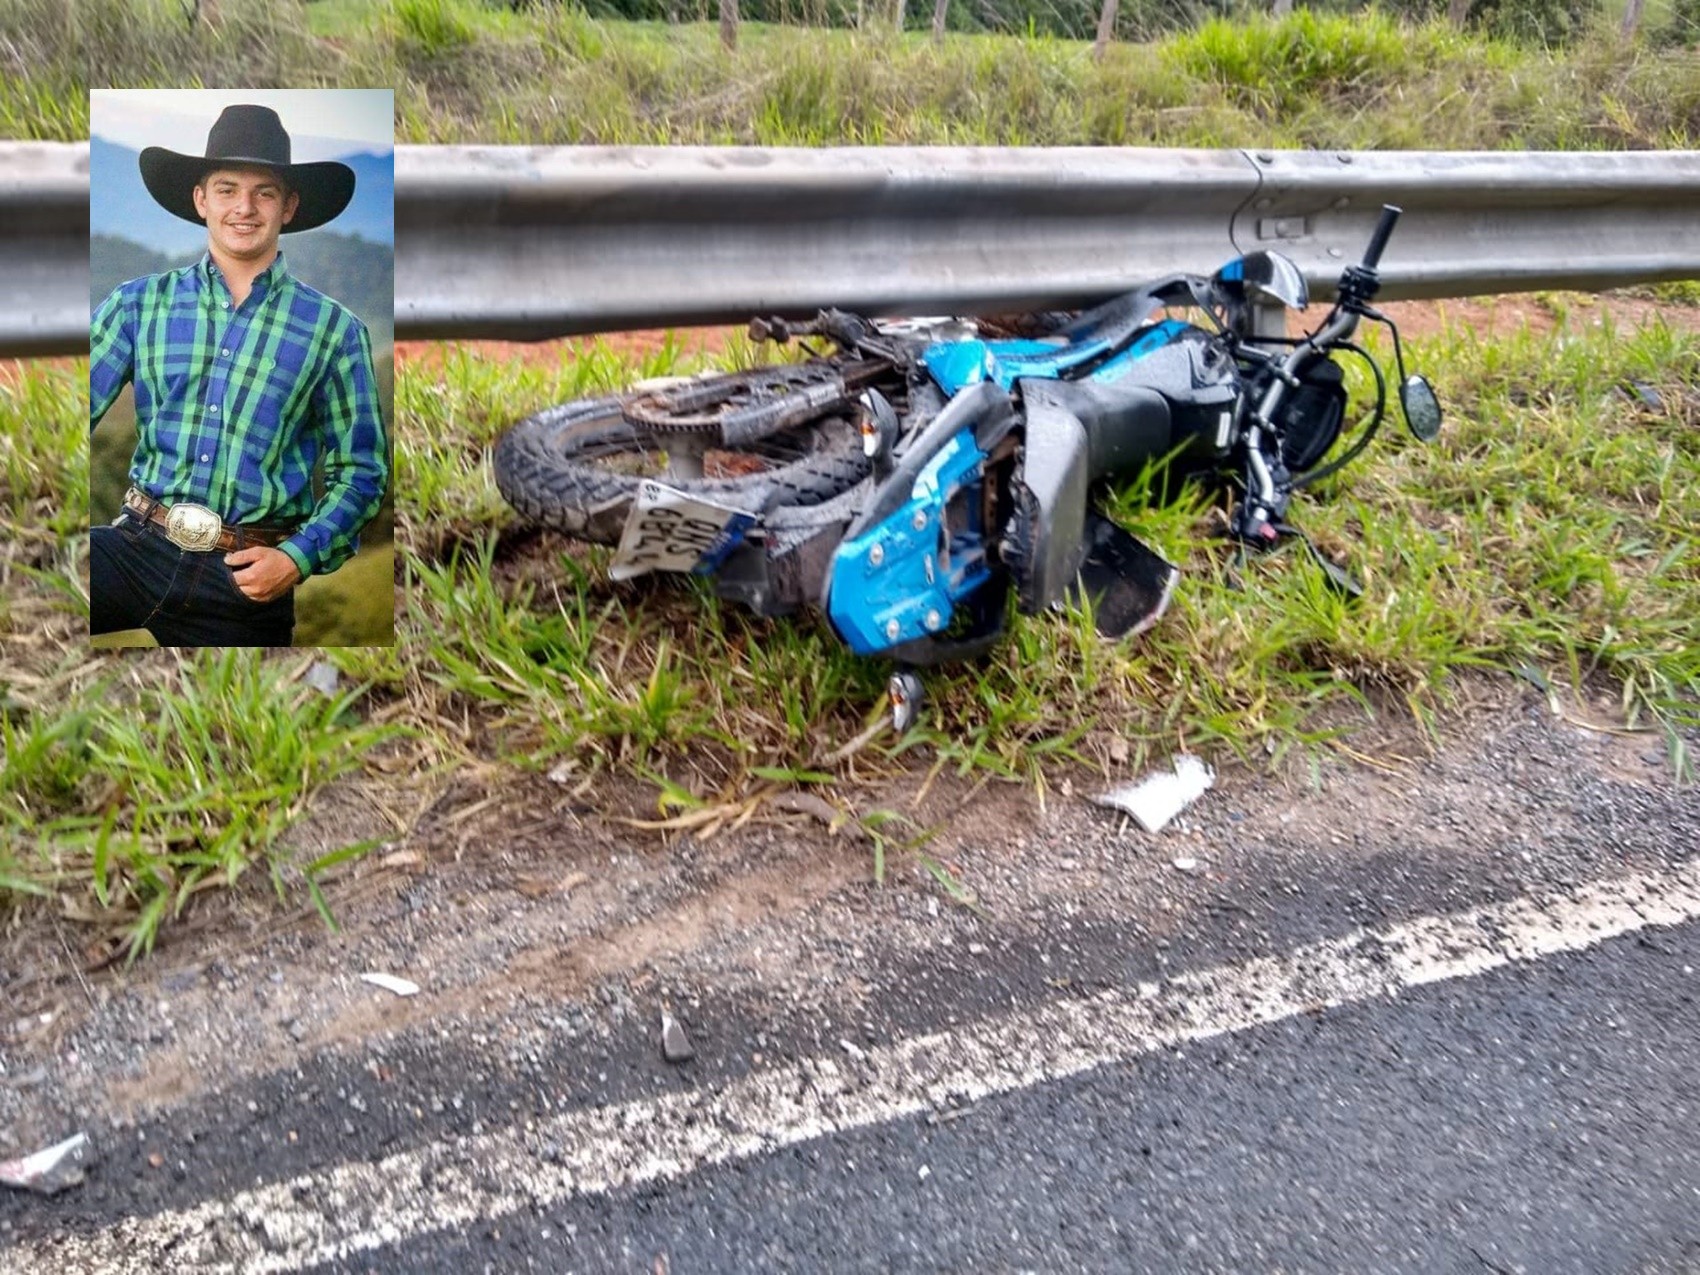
[122, 207]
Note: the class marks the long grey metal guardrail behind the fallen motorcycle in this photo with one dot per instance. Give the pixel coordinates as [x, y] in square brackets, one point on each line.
[548, 242]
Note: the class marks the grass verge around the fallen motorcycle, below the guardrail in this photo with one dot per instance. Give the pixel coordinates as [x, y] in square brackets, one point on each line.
[1551, 535]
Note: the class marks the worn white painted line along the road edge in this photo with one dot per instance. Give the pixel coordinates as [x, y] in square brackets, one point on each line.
[453, 1186]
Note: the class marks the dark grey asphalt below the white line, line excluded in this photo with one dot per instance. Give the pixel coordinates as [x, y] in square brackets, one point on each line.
[1539, 1119]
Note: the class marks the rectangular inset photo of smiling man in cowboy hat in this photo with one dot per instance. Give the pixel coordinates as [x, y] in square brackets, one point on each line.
[242, 368]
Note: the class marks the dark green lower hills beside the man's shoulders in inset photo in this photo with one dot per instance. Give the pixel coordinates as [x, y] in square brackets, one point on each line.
[354, 271]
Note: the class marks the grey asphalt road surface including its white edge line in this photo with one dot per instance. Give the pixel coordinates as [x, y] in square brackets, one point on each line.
[1505, 1087]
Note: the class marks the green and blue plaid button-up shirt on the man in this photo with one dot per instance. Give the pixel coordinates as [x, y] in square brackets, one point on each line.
[237, 405]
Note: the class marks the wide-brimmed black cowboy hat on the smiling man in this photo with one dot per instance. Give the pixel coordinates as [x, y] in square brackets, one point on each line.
[247, 135]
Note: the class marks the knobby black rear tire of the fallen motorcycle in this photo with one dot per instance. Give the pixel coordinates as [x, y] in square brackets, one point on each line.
[579, 467]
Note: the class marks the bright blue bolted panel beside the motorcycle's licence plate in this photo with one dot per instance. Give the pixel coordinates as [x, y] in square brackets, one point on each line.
[902, 579]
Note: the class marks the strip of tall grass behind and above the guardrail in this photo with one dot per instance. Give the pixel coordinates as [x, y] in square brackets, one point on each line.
[479, 72]
